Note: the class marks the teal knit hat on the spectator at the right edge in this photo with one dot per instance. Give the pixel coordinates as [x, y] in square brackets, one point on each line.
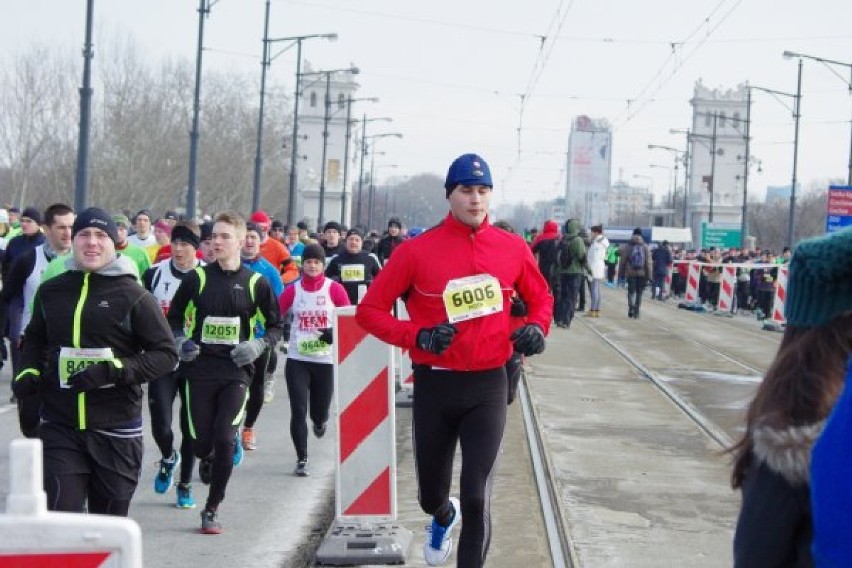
[819, 286]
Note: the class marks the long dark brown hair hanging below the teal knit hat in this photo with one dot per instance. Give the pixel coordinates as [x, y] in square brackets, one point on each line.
[801, 385]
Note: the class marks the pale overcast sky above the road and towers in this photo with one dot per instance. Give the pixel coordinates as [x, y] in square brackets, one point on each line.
[464, 75]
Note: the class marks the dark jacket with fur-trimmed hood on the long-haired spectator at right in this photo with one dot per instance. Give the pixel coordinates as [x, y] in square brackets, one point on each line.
[774, 527]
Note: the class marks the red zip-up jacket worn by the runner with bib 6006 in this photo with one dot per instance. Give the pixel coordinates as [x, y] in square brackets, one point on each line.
[420, 269]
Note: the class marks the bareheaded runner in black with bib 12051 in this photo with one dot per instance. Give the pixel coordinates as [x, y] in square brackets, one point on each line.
[214, 315]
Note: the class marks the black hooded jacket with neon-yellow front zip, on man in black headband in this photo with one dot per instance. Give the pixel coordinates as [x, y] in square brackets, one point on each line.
[106, 308]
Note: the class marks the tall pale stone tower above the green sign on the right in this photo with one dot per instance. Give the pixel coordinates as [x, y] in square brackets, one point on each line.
[717, 121]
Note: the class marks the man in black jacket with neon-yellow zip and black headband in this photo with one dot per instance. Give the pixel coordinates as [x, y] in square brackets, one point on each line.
[94, 338]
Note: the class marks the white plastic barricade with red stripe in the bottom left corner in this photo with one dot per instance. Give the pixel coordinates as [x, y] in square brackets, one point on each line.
[31, 537]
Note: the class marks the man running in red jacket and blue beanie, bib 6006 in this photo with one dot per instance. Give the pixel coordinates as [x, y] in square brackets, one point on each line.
[460, 336]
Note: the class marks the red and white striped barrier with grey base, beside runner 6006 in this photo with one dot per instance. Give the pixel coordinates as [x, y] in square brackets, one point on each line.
[365, 506]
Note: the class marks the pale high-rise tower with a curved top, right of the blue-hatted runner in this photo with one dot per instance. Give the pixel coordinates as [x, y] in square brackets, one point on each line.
[589, 166]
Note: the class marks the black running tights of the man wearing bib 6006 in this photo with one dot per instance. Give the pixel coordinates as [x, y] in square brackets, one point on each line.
[453, 407]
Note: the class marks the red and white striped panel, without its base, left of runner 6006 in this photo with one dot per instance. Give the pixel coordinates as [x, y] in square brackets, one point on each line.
[366, 456]
